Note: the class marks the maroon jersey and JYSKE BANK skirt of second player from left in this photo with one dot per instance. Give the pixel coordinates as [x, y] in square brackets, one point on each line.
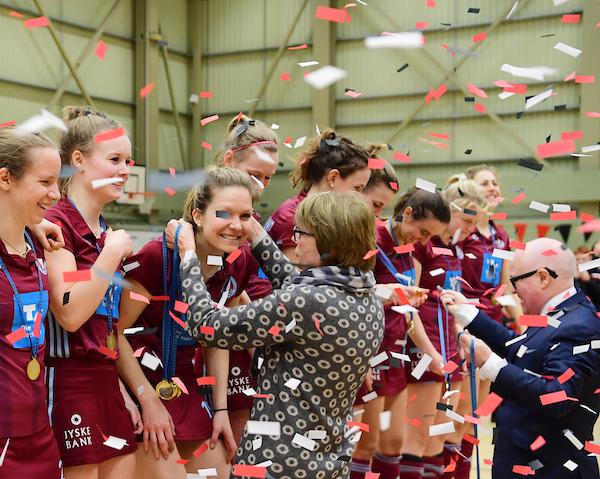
[85, 404]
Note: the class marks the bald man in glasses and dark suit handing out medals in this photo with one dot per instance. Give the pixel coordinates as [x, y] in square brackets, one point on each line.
[557, 364]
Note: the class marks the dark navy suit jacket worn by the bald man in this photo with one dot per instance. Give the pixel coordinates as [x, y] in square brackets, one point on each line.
[521, 417]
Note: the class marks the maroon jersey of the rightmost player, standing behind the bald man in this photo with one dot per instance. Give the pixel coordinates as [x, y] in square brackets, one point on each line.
[483, 271]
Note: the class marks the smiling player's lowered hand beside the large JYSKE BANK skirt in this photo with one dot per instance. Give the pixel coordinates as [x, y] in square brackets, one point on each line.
[159, 429]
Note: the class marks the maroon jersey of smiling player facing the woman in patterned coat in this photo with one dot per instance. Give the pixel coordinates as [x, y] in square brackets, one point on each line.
[233, 277]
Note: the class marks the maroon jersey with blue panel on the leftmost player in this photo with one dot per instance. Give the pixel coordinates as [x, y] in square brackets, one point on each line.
[23, 401]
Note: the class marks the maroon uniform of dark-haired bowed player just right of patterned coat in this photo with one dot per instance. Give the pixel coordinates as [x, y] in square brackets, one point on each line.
[389, 378]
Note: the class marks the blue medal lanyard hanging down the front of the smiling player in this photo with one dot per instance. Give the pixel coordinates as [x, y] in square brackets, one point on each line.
[172, 287]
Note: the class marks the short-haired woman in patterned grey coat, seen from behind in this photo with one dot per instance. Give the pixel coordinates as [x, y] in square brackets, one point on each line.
[319, 329]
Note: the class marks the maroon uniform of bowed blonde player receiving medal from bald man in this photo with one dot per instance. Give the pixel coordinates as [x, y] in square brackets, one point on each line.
[431, 312]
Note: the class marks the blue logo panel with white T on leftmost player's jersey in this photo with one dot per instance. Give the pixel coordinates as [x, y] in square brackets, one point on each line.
[26, 318]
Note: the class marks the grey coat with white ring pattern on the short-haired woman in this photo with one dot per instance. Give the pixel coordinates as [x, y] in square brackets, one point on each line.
[319, 331]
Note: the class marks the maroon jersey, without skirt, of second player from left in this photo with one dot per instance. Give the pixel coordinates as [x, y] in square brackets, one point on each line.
[80, 241]
